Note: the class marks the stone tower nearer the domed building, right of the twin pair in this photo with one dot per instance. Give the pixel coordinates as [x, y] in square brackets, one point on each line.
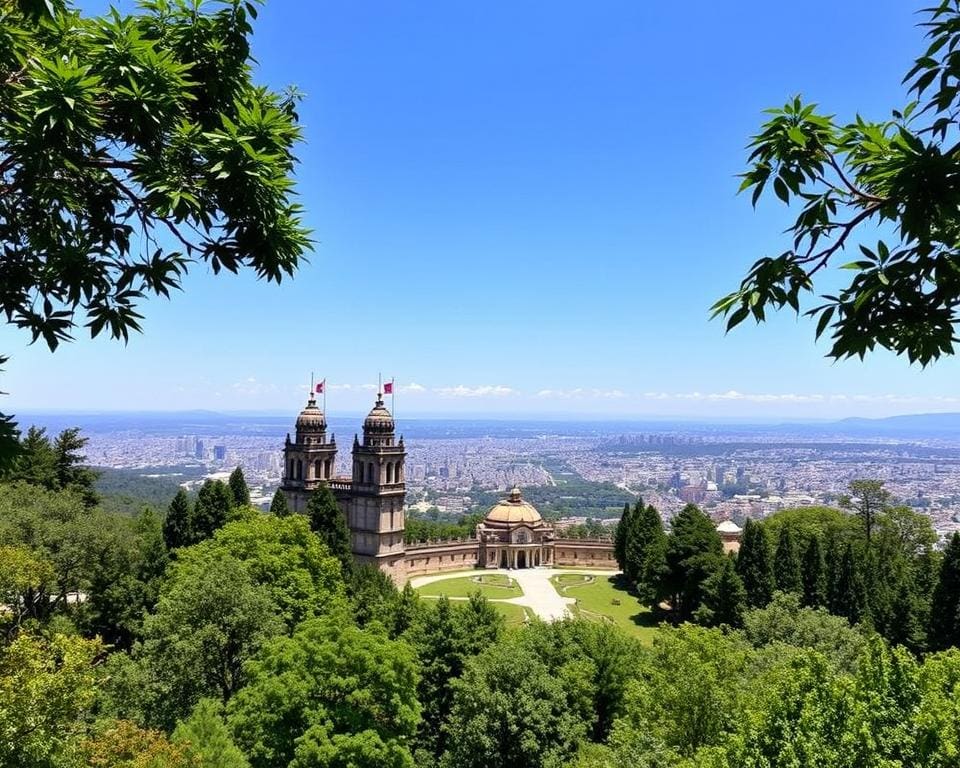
[377, 492]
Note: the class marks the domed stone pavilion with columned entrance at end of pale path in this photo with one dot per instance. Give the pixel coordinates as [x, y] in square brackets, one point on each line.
[514, 535]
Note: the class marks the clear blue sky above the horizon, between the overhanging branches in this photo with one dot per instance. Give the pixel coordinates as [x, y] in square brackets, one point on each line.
[522, 207]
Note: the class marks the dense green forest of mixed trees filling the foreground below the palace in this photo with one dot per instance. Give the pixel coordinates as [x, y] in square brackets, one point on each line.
[217, 635]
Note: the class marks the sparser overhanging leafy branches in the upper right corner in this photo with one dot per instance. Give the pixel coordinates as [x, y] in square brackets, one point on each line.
[900, 175]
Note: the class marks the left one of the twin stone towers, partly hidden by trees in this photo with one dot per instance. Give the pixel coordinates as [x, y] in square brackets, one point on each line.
[309, 459]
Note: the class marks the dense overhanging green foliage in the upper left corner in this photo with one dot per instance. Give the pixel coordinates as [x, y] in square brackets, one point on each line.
[131, 147]
